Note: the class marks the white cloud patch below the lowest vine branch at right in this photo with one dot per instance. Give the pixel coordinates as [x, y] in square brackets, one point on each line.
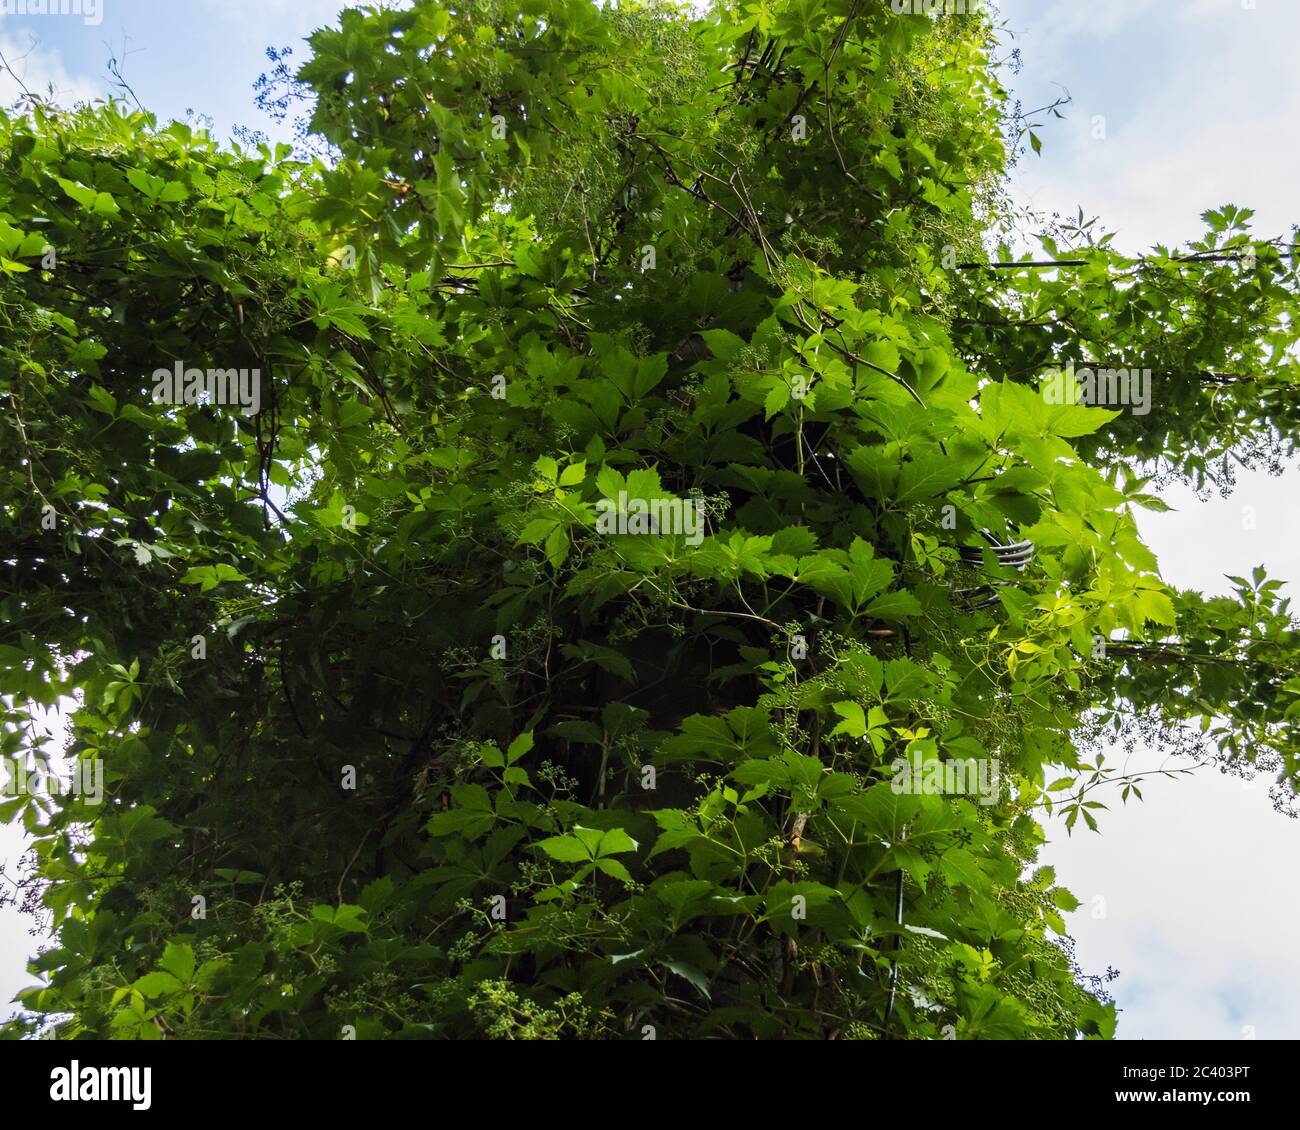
[1197, 919]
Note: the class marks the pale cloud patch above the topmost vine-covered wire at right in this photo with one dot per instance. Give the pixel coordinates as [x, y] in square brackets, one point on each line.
[1197, 125]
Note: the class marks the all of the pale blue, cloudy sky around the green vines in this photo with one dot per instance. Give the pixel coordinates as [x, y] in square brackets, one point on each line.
[1201, 101]
